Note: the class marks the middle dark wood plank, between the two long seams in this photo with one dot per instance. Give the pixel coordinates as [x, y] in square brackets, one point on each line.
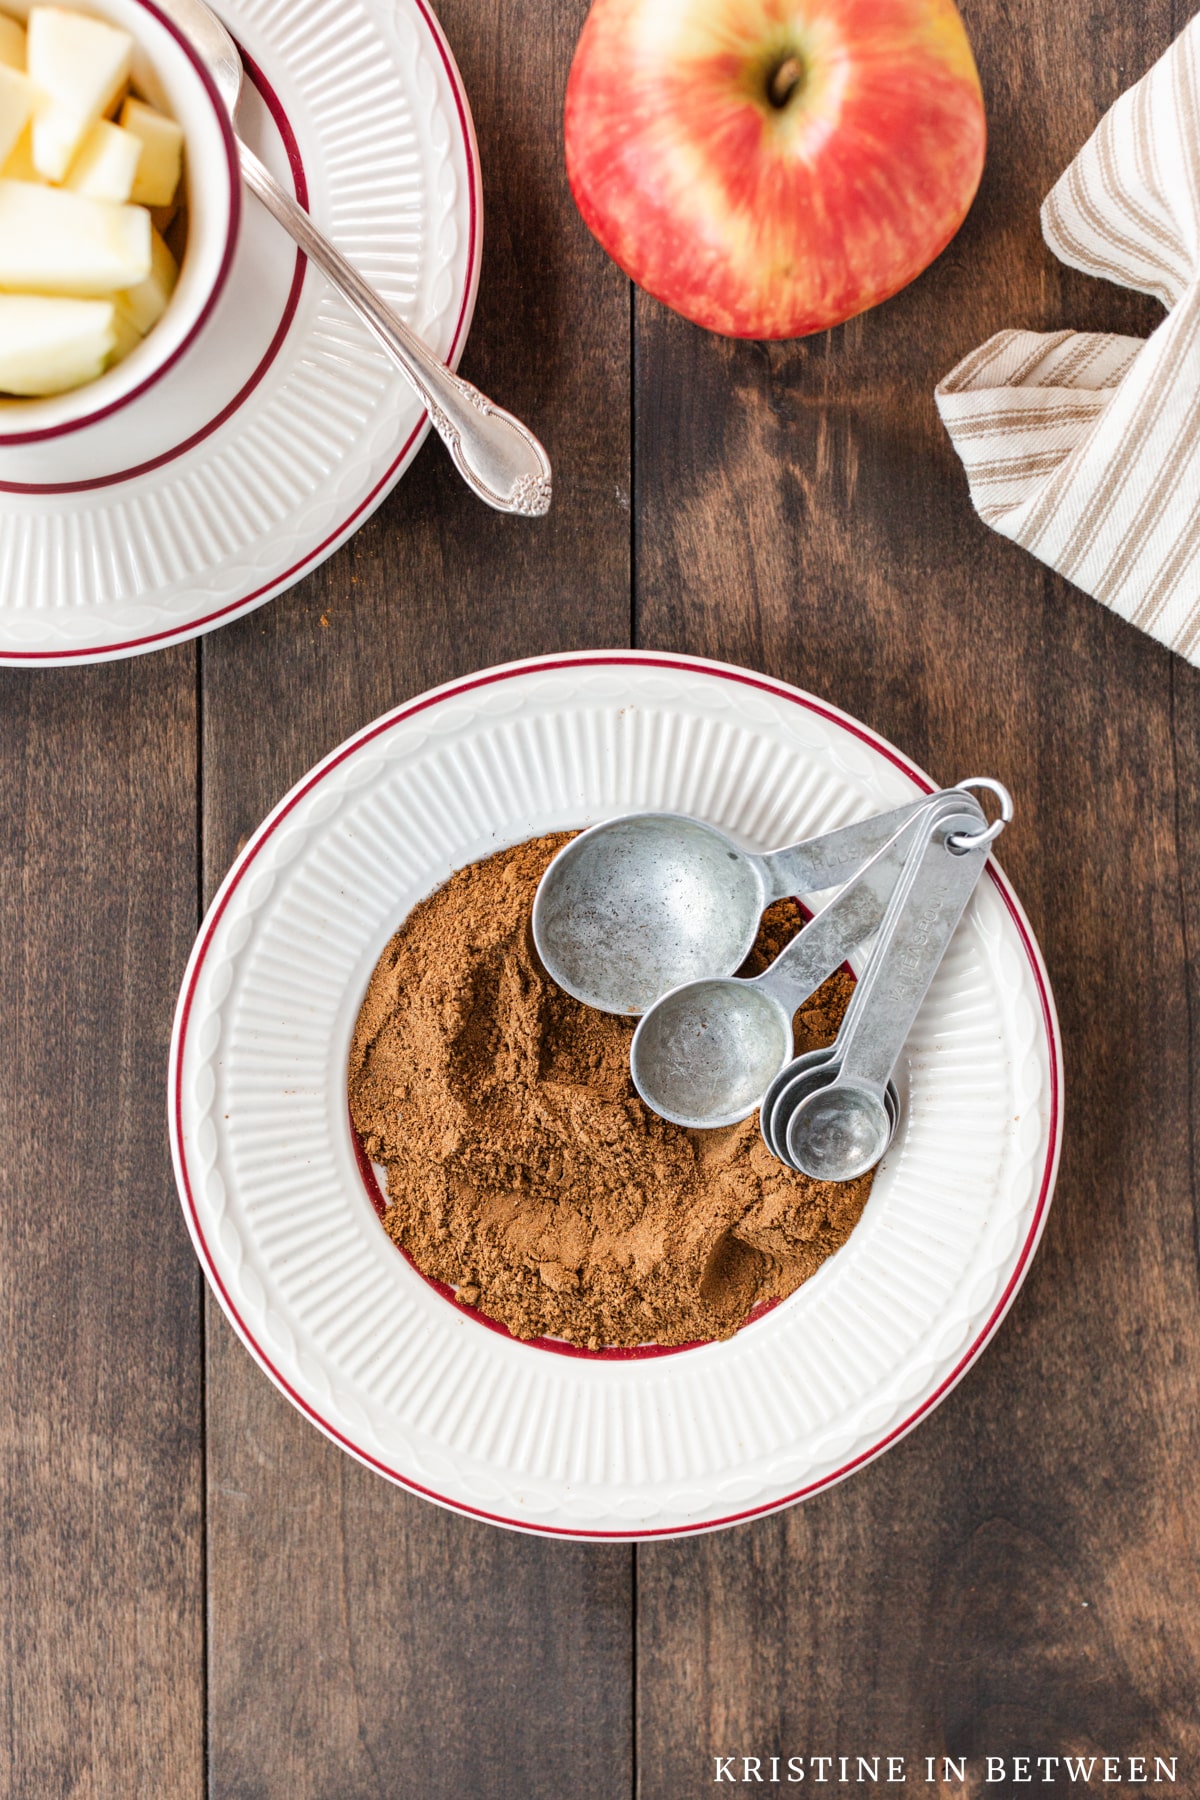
[366, 1642]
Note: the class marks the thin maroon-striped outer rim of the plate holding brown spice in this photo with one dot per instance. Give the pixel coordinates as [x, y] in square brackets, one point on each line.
[390, 723]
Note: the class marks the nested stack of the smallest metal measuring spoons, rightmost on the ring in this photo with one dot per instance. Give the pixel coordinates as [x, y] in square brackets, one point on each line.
[834, 1111]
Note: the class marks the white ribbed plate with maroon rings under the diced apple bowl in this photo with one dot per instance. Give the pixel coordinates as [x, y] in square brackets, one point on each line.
[283, 427]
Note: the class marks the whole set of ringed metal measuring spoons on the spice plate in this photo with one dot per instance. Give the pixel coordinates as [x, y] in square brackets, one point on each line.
[652, 913]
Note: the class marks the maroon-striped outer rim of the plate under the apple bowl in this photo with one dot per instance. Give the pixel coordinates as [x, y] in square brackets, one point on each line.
[312, 559]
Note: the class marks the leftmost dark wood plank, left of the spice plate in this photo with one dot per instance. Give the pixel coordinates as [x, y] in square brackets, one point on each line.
[102, 1588]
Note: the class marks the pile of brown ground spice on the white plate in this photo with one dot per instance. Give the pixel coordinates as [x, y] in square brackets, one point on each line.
[523, 1167]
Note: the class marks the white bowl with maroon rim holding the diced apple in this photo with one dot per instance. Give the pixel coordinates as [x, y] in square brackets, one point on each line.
[172, 76]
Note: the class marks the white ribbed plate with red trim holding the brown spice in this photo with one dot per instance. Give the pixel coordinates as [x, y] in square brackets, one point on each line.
[411, 1383]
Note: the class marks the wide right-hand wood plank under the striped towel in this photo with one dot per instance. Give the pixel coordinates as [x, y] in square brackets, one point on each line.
[1014, 1578]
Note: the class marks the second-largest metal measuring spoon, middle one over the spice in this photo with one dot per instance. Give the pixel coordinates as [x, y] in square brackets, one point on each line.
[708, 1052]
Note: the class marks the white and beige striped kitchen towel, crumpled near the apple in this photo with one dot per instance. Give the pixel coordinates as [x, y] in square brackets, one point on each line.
[1086, 447]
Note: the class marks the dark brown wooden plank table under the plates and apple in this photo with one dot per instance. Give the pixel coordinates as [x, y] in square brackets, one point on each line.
[199, 1592]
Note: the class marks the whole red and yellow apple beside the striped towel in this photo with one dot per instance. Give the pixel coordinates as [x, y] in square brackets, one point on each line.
[771, 168]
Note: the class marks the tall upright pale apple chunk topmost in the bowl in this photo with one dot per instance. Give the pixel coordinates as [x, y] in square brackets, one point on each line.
[82, 66]
